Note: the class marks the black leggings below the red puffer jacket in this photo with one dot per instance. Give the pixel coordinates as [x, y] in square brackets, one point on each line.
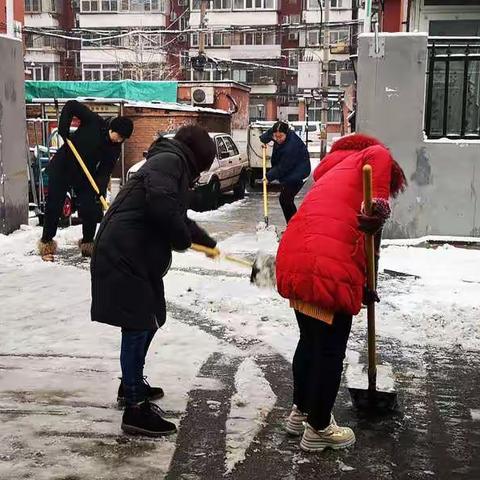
[318, 366]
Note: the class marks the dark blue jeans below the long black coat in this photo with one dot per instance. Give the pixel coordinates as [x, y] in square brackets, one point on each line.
[135, 344]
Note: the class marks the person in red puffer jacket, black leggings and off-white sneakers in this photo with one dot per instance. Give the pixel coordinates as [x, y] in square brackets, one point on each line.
[321, 269]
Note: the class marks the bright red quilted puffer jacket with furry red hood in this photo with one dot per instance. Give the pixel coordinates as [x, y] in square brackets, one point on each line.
[321, 258]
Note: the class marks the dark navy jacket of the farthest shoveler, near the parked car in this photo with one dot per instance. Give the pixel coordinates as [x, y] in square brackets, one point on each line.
[290, 160]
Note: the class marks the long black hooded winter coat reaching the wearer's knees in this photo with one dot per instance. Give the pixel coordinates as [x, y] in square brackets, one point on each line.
[133, 247]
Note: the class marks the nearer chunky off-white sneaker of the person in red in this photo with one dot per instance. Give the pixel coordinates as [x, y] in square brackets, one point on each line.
[333, 436]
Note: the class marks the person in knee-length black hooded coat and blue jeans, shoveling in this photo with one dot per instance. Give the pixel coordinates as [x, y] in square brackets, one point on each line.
[132, 254]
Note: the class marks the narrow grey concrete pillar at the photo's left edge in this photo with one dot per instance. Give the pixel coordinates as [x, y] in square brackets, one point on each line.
[13, 166]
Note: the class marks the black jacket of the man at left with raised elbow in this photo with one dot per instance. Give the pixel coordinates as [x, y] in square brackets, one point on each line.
[92, 142]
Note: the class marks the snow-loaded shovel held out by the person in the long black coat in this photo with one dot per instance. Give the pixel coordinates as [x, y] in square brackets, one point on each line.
[262, 269]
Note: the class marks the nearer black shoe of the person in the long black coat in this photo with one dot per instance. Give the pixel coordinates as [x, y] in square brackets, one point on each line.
[146, 419]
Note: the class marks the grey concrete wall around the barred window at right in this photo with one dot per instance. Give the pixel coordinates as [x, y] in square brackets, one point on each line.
[444, 177]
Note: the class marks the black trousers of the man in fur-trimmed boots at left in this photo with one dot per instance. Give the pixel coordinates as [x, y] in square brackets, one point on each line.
[88, 208]
